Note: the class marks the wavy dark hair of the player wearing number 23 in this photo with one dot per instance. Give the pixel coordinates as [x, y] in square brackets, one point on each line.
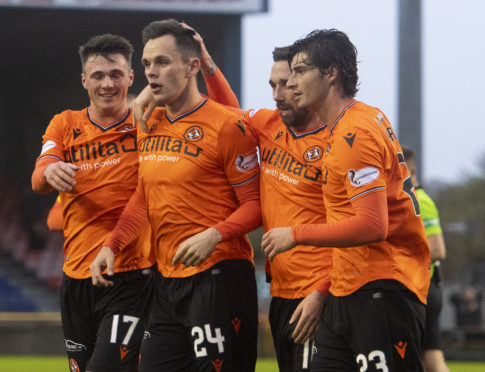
[330, 48]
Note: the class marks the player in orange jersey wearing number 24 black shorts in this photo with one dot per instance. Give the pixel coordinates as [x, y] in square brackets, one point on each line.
[199, 188]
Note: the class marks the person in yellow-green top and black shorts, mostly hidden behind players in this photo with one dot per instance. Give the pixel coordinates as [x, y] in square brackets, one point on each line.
[434, 360]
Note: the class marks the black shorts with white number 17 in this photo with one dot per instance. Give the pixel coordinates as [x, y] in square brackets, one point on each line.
[103, 326]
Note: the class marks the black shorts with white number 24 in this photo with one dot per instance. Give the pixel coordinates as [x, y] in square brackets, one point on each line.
[205, 322]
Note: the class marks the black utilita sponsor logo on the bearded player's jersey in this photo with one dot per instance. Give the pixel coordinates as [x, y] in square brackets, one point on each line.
[284, 161]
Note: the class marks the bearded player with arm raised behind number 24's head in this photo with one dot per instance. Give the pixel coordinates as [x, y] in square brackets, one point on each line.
[291, 147]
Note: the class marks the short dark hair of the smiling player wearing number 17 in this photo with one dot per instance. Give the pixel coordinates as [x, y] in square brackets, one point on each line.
[104, 45]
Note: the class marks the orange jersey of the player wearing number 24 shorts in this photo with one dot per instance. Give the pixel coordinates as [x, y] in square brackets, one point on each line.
[189, 167]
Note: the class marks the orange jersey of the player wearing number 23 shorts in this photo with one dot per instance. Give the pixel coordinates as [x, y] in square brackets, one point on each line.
[364, 155]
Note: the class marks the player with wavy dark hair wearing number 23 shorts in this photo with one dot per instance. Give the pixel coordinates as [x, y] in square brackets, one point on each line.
[374, 315]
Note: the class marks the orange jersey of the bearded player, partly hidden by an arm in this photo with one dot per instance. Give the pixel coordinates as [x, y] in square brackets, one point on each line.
[291, 193]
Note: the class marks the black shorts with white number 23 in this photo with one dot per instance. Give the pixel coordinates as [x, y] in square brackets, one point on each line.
[377, 328]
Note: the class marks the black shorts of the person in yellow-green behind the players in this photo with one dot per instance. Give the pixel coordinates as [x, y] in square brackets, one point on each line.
[433, 310]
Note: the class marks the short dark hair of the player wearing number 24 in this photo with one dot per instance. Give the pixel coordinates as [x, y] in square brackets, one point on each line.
[184, 37]
